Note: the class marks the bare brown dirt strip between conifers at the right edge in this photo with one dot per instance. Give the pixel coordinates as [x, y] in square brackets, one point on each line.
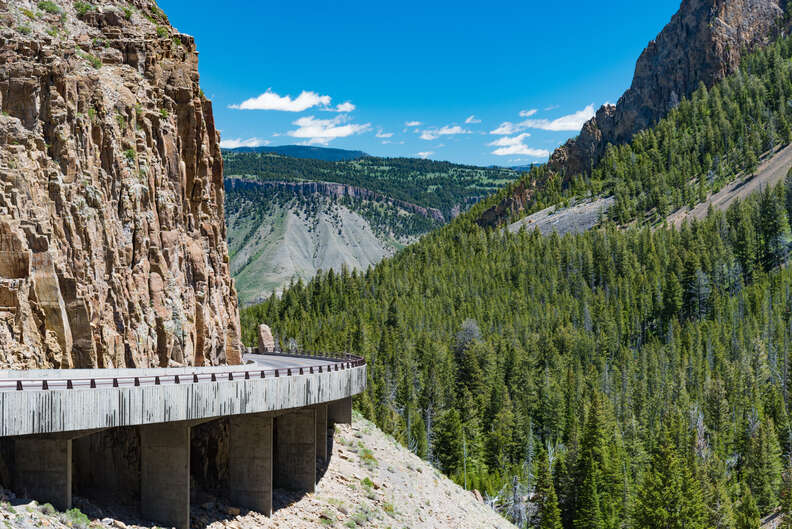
[772, 170]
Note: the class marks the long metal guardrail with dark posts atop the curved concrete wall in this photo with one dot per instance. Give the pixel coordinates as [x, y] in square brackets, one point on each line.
[190, 376]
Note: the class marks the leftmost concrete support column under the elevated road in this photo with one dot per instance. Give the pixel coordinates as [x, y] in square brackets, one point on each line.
[44, 470]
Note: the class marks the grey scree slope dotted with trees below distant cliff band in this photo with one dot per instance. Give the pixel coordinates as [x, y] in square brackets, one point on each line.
[279, 235]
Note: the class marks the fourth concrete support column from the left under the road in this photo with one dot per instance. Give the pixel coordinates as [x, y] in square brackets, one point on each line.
[296, 450]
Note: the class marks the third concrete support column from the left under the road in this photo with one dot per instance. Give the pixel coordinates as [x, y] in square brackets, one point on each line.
[250, 462]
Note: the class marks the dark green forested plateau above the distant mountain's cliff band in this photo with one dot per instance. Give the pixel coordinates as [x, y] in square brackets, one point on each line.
[441, 185]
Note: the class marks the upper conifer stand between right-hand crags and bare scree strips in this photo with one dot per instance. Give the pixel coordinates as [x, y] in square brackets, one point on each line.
[701, 145]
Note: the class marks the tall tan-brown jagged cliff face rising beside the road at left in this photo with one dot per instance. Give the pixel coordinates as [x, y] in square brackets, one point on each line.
[112, 239]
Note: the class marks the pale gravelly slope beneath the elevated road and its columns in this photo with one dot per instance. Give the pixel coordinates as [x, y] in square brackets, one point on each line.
[371, 481]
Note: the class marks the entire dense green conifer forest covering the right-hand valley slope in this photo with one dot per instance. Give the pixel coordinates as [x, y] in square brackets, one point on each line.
[625, 377]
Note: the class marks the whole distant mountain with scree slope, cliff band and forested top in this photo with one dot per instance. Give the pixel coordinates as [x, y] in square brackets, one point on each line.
[288, 218]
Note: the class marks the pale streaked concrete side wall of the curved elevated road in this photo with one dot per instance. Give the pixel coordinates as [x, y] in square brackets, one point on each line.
[50, 411]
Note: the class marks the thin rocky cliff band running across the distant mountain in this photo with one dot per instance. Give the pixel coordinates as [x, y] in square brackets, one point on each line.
[336, 190]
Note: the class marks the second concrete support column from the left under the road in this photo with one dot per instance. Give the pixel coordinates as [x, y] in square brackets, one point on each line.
[165, 473]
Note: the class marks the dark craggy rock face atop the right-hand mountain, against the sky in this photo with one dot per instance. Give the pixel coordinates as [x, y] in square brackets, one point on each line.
[703, 43]
